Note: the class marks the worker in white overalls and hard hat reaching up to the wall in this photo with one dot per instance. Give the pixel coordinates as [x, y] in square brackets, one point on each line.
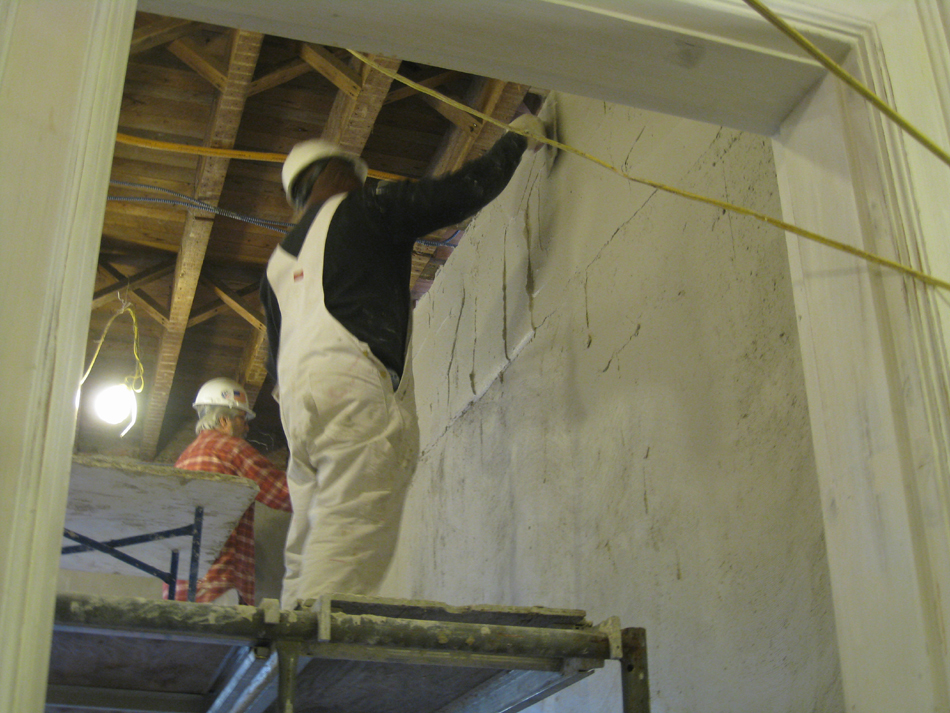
[337, 301]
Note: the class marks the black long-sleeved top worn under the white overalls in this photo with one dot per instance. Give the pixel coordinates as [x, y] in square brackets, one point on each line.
[368, 252]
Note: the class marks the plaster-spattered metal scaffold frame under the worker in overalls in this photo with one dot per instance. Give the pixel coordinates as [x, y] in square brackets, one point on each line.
[532, 661]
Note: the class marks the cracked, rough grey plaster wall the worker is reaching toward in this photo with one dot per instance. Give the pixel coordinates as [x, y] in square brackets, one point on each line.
[613, 417]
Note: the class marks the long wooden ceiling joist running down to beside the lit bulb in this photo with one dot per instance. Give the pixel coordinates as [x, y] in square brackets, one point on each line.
[226, 117]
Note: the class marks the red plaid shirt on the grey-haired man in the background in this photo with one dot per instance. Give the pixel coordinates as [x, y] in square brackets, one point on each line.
[214, 452]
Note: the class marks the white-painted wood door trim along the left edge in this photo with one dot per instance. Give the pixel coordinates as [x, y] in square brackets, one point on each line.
[63, 138]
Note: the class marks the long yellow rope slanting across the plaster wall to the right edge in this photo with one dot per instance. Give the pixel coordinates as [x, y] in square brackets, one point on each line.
[816, 237]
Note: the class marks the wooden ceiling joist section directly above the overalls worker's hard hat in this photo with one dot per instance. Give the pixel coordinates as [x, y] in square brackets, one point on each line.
[351, 119]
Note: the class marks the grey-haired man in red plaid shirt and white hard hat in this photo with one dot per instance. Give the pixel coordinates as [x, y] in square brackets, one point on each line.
[220, 448]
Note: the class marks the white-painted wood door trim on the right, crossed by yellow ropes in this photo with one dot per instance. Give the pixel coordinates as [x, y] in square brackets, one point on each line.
[874, 349]
